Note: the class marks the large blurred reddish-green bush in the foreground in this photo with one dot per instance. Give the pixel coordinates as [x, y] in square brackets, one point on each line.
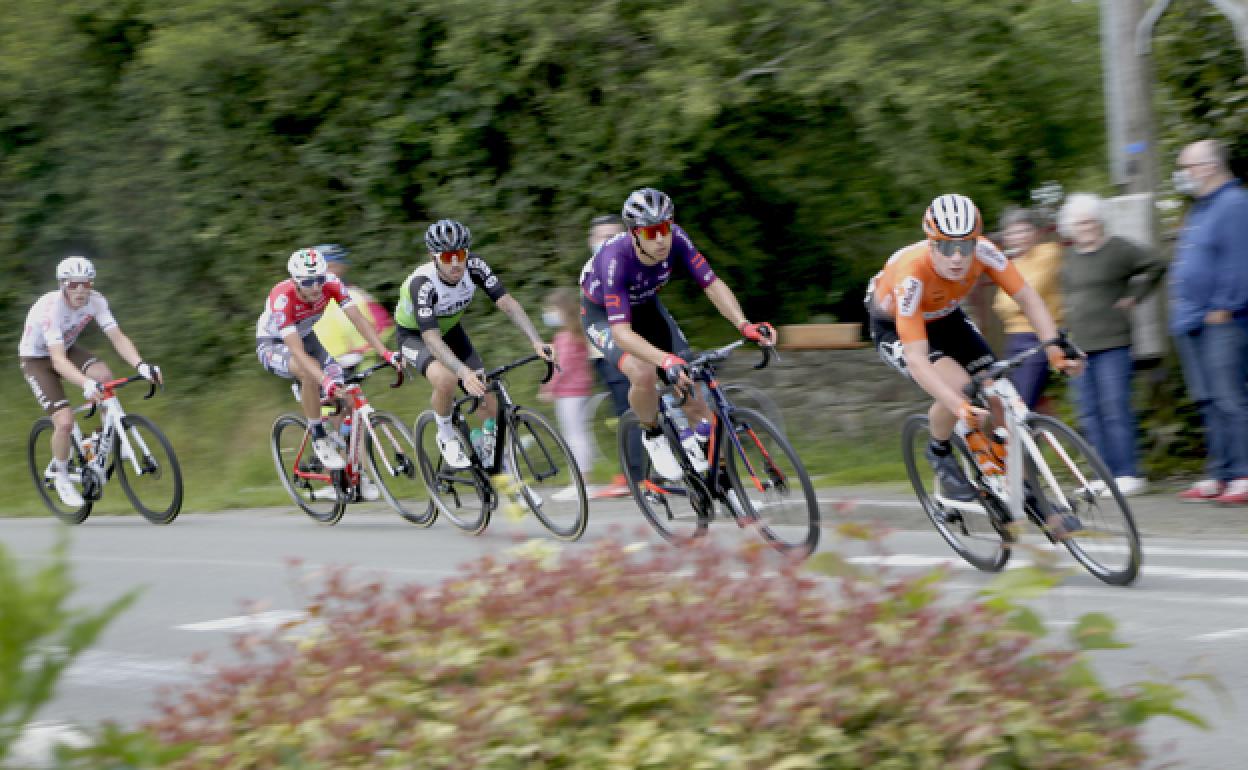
[613, 657]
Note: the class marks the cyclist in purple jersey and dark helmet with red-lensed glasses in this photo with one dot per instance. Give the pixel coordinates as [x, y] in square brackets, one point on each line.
[627, 323]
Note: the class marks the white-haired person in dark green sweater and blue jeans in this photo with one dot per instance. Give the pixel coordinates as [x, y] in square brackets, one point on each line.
[1104, 278]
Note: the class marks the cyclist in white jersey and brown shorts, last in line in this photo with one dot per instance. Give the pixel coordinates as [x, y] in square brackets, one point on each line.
[49, 354]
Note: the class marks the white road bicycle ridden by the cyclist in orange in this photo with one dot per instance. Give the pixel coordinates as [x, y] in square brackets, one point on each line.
[1053, 477]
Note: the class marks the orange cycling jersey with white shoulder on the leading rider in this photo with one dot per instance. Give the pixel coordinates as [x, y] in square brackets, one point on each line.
[910, 291]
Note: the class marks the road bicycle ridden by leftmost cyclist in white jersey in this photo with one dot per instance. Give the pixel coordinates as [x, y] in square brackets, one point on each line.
[129, 445]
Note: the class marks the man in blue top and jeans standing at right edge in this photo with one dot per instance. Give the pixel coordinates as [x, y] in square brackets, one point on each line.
[1209, 303]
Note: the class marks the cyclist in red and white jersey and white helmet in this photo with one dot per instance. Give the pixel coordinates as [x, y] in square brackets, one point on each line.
[288, 346]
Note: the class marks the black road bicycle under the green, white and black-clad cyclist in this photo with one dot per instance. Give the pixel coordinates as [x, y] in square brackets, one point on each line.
[529, 452]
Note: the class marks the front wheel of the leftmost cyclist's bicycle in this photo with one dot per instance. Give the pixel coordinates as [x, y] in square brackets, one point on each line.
[157, 490]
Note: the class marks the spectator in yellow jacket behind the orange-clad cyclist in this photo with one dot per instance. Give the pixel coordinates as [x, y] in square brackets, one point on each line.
[1040, 263]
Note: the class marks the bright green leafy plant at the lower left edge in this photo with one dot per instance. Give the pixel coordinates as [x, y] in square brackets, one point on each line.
[41, 637]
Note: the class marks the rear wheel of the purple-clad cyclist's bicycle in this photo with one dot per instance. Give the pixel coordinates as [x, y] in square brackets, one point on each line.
[671, 507]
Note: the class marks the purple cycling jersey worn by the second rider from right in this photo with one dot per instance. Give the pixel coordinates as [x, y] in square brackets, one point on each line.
[618, 281]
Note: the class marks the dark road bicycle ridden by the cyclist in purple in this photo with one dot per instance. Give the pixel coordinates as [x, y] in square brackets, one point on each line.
[753, 471]
